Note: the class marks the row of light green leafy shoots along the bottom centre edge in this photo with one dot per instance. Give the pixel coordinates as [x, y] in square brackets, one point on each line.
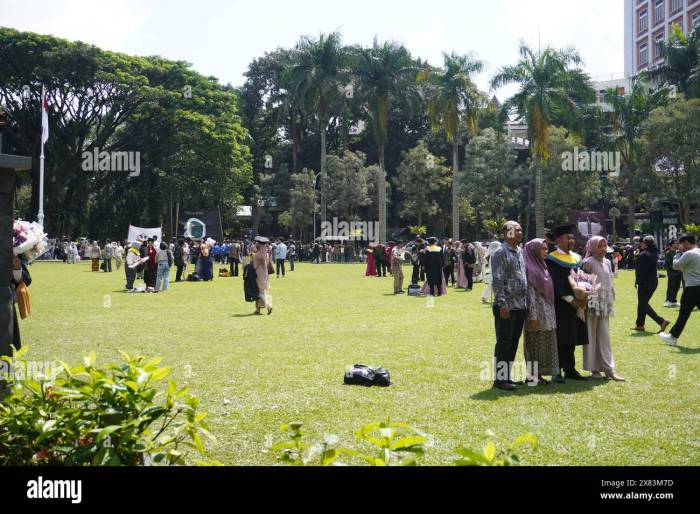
[394, 444]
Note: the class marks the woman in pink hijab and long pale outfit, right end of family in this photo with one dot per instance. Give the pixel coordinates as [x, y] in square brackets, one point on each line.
[597, 355]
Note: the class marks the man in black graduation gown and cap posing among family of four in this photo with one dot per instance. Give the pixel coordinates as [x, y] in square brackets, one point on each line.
[571, 330]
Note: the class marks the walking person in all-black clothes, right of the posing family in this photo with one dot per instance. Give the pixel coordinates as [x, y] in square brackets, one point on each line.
[646, 282]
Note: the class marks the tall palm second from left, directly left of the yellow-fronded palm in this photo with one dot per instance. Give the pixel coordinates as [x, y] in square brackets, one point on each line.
[385, 74]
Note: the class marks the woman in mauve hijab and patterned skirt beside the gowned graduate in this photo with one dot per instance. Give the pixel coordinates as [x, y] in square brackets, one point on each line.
[541, 354]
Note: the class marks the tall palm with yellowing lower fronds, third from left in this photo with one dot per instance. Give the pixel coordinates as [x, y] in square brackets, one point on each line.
[454, 103]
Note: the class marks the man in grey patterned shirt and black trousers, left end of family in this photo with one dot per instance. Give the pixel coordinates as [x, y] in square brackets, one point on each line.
[510, 303]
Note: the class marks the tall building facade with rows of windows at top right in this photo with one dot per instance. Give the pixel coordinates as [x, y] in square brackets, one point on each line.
[648, 22]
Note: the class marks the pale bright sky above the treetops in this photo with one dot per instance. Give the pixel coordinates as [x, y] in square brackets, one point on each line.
[221, 38]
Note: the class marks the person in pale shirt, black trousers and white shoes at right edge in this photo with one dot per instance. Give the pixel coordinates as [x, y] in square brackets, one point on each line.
[687, 261]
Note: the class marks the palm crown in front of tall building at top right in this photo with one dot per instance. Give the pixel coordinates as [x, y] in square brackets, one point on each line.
[681, 66]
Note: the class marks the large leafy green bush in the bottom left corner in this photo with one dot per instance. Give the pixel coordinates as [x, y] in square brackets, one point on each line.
[88, 415]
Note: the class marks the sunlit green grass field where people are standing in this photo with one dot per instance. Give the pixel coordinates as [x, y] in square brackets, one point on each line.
[289, 366]
